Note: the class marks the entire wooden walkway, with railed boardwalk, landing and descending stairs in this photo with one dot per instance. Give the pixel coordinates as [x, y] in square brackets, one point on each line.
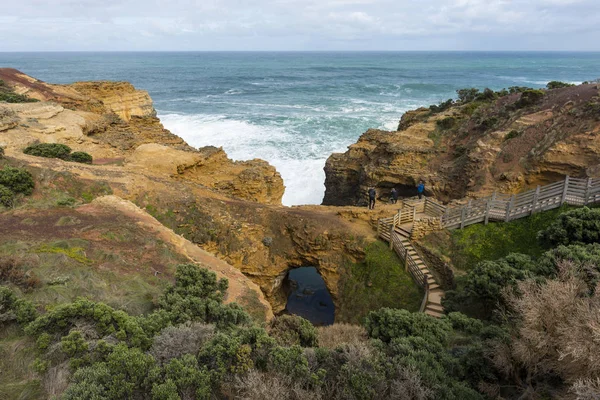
[397, 230]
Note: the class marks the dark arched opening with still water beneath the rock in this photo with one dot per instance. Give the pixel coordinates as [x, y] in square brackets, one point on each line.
[308, 296]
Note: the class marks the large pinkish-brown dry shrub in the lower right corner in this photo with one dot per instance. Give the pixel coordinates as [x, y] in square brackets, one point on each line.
[557, 329]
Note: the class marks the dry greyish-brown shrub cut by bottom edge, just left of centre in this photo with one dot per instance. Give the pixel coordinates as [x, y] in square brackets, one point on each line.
[271, 386]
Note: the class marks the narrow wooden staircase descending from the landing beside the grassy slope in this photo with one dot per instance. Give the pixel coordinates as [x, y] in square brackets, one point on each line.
[432, 303]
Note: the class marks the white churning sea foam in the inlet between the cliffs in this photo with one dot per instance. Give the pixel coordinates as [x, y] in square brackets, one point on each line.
[299, 160]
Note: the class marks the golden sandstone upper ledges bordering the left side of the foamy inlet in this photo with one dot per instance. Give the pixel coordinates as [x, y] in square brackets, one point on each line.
[117, 123]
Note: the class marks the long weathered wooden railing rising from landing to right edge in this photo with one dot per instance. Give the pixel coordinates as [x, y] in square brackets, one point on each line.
[503, 207]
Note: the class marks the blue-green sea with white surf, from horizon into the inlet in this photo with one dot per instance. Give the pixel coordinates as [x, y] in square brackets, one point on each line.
[295, 109]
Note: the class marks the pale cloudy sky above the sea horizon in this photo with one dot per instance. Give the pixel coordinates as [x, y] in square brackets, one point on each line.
[57, 25]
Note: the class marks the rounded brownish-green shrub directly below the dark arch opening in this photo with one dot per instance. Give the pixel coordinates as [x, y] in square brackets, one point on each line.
[291, 330]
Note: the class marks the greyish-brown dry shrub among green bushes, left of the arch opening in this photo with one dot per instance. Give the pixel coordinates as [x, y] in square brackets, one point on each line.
[176, 341]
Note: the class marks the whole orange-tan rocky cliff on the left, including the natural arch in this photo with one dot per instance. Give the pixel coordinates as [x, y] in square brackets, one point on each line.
[229, 209]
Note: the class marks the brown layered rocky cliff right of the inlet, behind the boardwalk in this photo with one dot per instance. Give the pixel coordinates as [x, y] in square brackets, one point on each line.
[506, 141]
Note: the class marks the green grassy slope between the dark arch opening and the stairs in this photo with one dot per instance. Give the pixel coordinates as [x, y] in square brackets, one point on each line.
[379, 281]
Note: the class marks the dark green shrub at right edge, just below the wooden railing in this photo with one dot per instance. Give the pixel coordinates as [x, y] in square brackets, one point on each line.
[580, 226]
